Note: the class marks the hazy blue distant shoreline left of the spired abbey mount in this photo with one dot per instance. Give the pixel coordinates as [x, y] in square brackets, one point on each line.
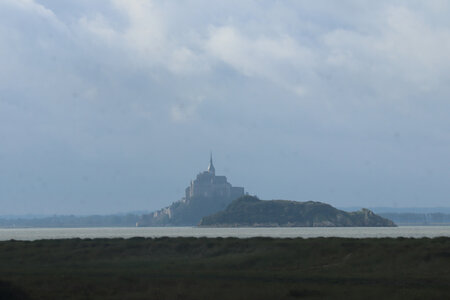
[128, 220]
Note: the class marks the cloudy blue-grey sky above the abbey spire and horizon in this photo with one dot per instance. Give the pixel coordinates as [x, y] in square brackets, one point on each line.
[114, 105]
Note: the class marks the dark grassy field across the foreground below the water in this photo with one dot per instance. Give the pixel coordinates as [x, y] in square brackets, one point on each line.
[226, 268]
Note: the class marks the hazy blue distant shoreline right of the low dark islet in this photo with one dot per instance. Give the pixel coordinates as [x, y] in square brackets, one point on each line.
[418, 218]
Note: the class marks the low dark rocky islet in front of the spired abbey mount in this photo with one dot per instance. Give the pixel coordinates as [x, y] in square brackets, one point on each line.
[249, 211]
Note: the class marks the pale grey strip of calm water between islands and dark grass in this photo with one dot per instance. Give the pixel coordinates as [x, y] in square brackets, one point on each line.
[351, 232]
